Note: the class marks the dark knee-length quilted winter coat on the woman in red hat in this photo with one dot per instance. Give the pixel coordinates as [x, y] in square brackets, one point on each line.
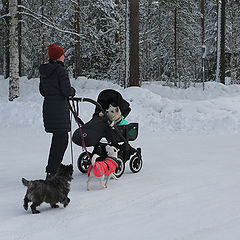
[55, 88]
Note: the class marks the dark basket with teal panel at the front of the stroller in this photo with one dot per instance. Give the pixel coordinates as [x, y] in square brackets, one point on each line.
[129, 132]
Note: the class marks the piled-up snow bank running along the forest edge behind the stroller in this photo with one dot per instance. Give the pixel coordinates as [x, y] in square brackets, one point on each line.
[159, 108]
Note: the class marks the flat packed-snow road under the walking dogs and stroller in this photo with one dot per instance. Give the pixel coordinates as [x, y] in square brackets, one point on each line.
[188, 189]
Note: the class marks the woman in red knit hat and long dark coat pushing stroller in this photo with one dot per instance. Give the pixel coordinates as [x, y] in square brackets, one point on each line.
[55, 87]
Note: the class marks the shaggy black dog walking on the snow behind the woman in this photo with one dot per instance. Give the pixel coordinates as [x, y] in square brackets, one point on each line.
[52, 190]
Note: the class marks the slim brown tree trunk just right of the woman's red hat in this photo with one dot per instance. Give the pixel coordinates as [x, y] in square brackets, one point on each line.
[77, 44]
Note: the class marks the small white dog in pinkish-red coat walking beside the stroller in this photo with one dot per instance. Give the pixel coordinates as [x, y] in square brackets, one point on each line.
[106, 167]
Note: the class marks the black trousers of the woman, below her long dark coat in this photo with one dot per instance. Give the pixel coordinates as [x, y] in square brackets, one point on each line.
[57, 150]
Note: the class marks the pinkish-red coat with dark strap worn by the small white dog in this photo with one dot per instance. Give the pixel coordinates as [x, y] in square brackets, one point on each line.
[104, 167]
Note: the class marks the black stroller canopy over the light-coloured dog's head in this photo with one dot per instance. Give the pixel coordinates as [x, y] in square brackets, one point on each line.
[110, 96]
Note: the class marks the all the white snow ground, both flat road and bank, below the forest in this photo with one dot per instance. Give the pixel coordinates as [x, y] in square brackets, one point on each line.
[187, 189]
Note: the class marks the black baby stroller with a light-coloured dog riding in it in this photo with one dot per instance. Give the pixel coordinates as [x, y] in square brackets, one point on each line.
[91, 133]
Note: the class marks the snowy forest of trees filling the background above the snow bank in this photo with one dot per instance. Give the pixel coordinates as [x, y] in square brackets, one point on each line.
[176, 42]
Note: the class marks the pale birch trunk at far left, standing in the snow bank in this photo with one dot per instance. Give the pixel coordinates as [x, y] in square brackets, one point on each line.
[14, 55]
